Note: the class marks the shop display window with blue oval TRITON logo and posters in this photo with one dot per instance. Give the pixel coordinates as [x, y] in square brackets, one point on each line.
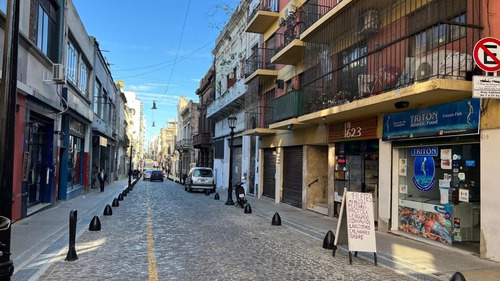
[439, 192]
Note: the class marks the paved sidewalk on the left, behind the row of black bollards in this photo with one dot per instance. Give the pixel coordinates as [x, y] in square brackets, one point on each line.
[38, 237]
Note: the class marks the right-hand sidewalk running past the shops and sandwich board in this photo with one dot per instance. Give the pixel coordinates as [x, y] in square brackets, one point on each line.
[397, 252]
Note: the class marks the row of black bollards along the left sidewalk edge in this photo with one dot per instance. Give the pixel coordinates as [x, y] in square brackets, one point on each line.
[95, 223]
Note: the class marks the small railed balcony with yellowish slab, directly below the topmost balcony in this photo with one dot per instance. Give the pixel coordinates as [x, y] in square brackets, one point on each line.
[259, 66]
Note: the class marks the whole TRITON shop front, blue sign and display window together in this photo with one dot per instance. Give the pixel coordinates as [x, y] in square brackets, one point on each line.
[436, 171]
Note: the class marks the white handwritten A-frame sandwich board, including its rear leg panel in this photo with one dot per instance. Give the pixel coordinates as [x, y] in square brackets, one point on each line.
[356, 224]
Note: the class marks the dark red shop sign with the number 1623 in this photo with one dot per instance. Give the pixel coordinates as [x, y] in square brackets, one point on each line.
[362, 129]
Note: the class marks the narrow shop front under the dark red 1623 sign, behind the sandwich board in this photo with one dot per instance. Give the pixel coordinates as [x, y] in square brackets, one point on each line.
[356, 158]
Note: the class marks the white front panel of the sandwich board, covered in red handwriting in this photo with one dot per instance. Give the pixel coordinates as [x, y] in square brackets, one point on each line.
[360, 222]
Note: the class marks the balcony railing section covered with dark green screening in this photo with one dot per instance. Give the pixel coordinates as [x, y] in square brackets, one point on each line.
[290, 105]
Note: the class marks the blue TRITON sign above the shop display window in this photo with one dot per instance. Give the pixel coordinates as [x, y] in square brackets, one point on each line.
[450, 119]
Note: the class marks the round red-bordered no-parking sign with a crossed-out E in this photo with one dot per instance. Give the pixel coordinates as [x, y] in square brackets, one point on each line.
[487, 54]
